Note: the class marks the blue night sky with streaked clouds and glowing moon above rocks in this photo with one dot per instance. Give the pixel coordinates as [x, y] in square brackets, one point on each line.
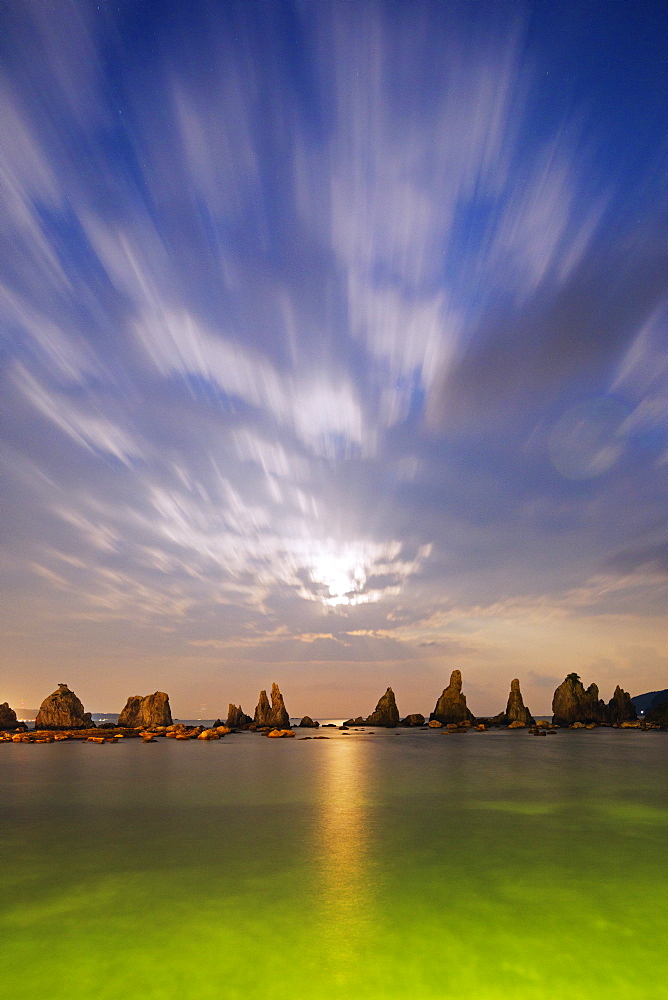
[333, 350]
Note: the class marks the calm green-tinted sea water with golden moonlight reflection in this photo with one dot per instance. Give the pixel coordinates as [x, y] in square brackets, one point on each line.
[491, 865]
